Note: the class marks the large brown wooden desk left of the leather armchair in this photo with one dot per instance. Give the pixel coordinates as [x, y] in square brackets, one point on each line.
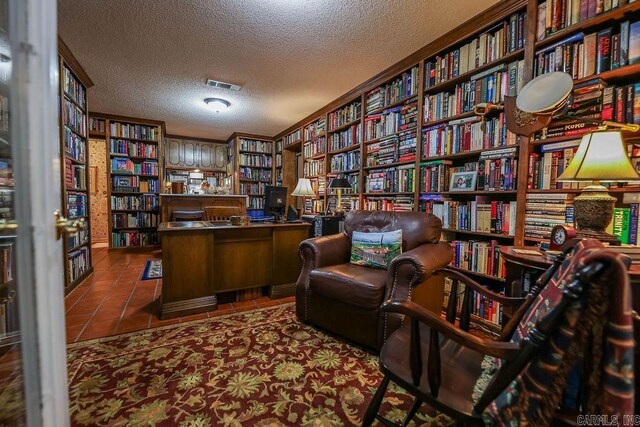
[200, 259]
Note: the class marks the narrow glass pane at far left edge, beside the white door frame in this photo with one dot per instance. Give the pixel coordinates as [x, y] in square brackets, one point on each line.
[12, 403]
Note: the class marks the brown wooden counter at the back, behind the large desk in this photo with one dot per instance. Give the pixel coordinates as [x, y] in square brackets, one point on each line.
[197, 202]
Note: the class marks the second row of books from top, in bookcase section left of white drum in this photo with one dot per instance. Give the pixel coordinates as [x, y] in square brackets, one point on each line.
[489, 86]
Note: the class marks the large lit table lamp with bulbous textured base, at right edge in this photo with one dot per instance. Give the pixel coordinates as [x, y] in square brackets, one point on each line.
[601, 156]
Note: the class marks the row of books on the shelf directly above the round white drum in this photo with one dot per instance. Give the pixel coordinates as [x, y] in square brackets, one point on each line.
[584, 55]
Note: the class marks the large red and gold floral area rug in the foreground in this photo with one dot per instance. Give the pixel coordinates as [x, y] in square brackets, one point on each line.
[256, 368]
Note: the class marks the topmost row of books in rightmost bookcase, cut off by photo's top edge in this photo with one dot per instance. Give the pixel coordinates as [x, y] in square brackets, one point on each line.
[556, 15]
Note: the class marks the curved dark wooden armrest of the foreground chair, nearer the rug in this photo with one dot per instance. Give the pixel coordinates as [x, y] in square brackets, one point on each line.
[503, 350]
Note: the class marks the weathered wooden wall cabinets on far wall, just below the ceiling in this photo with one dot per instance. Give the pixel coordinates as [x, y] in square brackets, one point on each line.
[183, 153]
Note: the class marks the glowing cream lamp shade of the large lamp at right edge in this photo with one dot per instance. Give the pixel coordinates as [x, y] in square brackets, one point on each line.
[601, 156]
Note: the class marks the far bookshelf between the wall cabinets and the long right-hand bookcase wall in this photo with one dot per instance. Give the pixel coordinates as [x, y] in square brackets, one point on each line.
[252, 165]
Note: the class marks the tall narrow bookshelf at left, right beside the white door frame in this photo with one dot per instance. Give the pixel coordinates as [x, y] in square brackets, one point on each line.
[74, 153]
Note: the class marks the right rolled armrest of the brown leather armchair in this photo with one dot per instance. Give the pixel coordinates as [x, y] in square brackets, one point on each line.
[423, 260]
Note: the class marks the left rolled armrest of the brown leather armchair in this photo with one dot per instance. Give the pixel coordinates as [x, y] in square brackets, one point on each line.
[326, 250]
